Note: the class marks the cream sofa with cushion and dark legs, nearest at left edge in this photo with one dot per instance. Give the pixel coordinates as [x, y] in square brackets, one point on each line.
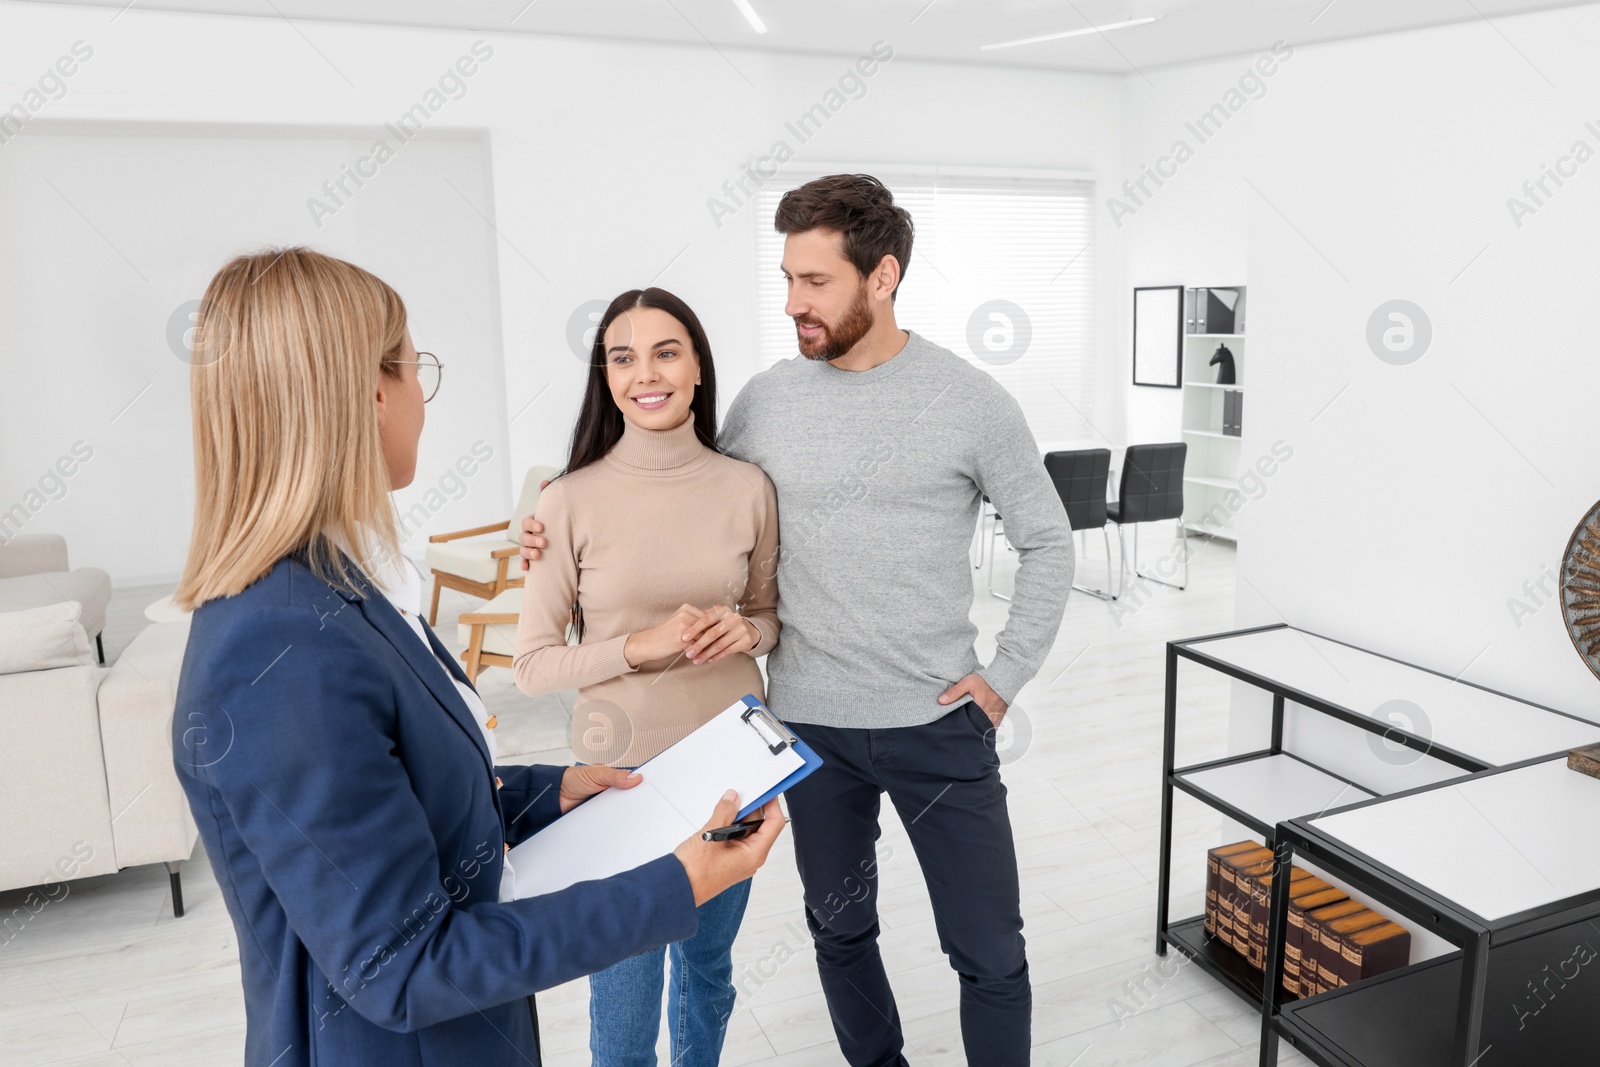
[87, 783]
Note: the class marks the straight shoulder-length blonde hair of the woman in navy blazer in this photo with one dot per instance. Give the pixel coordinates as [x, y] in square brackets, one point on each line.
[287, 354]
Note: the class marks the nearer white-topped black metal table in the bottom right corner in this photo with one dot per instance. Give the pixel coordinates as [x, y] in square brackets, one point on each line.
[1502, 863]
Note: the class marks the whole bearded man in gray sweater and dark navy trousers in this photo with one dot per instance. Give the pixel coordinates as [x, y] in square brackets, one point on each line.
[882, 447]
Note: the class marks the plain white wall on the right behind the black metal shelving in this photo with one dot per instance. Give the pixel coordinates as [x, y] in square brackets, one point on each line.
[1422, 498]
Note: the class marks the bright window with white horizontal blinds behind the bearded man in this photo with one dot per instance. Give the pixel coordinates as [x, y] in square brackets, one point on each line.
[1001, 274]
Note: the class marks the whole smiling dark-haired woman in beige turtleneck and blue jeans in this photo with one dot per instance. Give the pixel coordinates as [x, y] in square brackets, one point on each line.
[665, 554]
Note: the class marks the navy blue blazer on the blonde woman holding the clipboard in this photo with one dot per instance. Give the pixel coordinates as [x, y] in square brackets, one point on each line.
[351, 813]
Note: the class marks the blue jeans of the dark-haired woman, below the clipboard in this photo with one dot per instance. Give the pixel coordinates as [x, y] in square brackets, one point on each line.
[625, 1001]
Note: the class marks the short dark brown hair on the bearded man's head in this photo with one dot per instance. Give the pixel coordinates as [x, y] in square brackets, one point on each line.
[858, 207]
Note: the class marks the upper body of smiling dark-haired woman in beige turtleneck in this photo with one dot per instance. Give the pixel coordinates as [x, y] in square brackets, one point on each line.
[663, 543]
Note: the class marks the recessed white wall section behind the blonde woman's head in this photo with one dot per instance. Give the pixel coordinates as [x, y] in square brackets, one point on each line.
[111, 234]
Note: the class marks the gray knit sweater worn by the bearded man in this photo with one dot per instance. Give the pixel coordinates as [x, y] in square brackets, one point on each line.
[879, 481]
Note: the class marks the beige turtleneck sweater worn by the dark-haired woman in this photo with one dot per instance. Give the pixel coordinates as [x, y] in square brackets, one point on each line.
[660, 522]
